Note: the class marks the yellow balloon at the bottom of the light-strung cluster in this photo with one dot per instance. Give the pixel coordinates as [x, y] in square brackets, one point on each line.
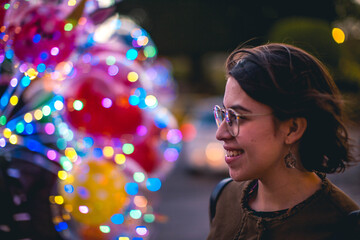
[96, 190]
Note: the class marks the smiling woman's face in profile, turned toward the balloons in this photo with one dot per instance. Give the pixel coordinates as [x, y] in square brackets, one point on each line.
[259, 148]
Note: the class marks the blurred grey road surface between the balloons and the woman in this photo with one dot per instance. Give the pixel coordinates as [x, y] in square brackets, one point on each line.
[184, 201]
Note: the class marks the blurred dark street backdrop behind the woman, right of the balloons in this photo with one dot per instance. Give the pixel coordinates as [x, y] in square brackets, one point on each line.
[196, 36]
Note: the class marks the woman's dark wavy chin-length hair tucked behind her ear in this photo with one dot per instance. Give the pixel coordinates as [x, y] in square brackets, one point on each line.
[296, 84]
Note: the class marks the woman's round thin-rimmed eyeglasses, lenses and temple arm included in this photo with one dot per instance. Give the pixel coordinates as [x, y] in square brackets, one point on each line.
[232, 118]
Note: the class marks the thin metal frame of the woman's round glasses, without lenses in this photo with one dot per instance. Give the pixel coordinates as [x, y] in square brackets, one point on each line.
[237, 115]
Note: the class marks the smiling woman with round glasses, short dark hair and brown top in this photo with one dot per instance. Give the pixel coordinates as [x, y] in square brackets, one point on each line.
[282, 130]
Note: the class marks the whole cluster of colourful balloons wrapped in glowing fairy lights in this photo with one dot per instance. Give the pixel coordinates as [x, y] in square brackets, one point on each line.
[83, 87]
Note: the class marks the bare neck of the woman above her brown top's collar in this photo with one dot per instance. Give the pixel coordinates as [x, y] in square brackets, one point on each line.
[284, 191]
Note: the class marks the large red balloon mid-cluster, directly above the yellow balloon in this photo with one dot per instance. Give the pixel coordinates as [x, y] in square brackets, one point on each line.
[104, 112]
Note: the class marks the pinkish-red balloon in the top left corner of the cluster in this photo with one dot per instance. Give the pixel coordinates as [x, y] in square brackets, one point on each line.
[42, 39]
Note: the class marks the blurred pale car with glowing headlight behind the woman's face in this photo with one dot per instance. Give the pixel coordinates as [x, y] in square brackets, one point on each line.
[202, 152]
